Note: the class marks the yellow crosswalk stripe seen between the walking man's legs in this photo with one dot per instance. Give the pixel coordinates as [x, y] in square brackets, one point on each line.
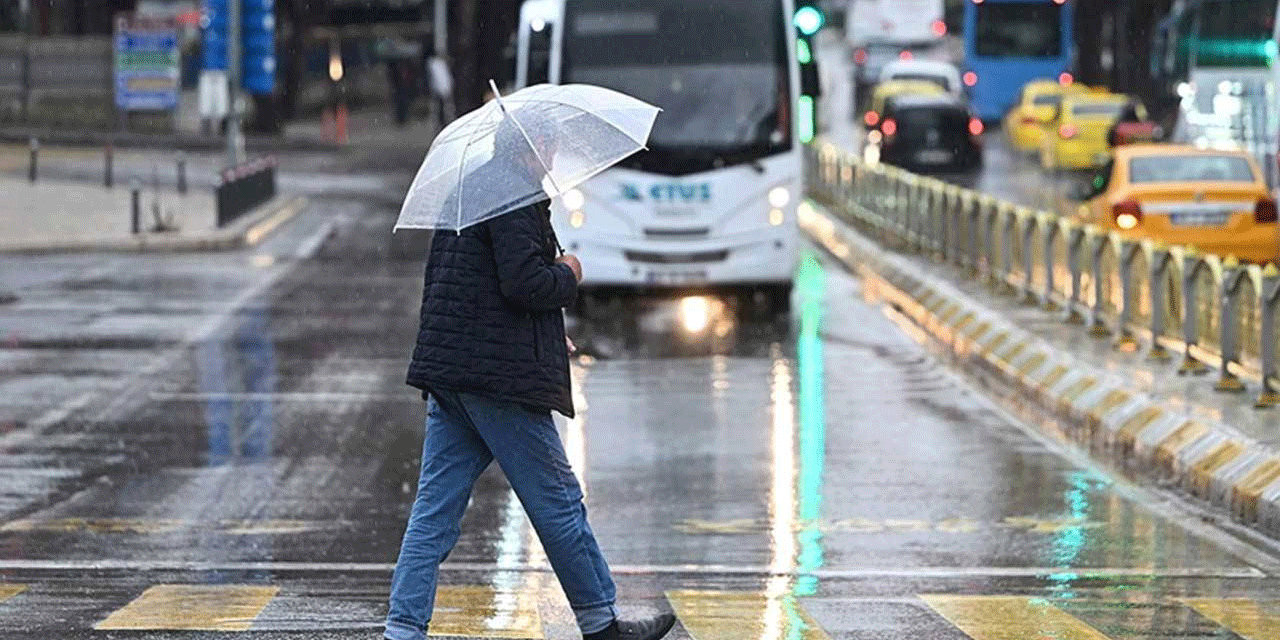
[484, 612]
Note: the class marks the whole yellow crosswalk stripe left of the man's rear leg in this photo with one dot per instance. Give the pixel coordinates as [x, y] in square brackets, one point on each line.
[193, 609]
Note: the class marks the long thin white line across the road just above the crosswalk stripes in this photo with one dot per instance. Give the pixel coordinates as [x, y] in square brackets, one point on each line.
[708, 570]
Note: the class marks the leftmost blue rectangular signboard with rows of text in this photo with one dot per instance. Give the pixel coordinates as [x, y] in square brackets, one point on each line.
[147, 65]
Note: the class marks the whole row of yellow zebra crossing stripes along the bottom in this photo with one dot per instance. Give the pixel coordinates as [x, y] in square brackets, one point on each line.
[484, 612]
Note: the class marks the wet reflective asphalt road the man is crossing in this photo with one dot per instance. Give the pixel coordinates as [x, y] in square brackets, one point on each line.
[212, 445]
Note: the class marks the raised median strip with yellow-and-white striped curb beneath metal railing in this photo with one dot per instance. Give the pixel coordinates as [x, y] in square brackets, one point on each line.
[1132, 412]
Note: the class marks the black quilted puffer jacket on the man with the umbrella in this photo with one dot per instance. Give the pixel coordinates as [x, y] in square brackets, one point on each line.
[492, 319]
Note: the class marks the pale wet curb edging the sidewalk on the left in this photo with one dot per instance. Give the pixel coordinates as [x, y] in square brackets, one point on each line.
[246, 232]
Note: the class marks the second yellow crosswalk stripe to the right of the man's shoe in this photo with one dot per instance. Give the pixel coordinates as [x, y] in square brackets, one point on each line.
[999, 618]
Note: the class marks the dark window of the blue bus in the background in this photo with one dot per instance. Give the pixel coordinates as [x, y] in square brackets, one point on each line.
[1020, 30]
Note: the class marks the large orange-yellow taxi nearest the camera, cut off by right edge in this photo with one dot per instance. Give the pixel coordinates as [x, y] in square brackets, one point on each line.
[1182, 195]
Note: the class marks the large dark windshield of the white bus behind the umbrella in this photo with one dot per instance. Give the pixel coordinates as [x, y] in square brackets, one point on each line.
[717, 68]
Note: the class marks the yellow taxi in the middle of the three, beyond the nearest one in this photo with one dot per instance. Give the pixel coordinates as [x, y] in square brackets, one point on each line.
[1077, 136]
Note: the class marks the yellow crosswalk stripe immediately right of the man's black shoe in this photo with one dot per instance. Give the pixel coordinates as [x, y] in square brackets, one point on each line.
[738, 615]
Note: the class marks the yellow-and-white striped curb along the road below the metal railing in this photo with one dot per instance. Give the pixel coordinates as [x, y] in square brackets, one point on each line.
[1096, 410]
